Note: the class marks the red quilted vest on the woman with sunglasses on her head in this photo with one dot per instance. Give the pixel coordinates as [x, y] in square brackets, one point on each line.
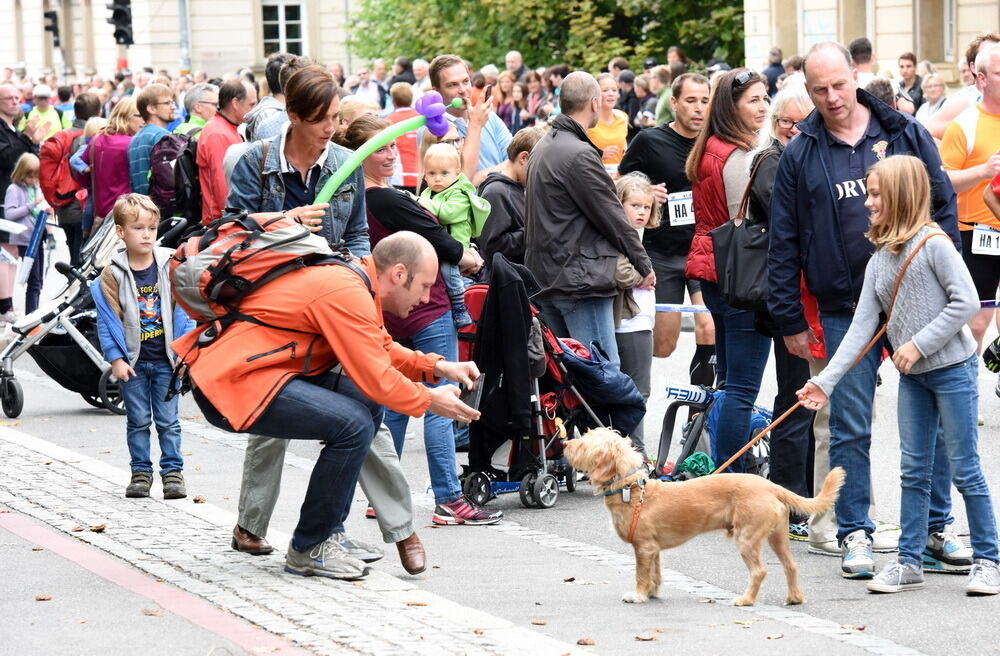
[710, 208]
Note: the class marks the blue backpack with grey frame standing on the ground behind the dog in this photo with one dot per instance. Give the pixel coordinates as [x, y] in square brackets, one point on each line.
[699, 433]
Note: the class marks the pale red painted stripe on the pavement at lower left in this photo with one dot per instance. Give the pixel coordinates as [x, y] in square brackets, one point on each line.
[178, 602]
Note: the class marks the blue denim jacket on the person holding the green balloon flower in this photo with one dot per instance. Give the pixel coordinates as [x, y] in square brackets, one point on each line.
[345, 218]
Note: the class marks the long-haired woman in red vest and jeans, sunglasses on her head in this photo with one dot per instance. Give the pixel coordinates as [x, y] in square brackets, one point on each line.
[718, 167]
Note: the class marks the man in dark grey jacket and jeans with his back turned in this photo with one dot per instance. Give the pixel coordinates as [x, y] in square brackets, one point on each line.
[575, 227]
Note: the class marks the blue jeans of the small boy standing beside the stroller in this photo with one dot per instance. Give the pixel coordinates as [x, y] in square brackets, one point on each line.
[143, 395]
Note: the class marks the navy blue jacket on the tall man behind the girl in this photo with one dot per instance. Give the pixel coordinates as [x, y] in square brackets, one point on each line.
[806, 231]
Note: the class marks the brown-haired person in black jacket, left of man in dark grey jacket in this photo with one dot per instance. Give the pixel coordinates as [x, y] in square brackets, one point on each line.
[504, 229]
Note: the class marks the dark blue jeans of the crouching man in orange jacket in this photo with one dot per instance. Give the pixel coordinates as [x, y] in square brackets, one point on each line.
[330, 408]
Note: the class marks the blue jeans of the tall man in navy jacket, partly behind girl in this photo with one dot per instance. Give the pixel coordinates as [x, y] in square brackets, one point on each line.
[851, 438]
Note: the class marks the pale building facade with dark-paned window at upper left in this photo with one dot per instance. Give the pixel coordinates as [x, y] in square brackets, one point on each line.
[223, 35]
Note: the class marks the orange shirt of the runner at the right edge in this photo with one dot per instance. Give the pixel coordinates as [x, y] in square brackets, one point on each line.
[956, 155]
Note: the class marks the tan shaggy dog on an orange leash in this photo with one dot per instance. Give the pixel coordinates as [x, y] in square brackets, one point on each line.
[749, 508]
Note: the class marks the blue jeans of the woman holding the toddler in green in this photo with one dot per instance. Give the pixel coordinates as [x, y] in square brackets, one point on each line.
[439, 432]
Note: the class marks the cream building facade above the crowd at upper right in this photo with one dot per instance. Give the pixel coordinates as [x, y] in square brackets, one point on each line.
[936, 30]
